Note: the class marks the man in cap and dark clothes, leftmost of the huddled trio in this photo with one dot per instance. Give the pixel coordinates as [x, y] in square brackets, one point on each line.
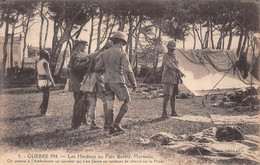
[78, 66]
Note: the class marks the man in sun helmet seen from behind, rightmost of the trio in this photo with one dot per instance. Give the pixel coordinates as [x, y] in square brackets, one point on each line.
[114, 61]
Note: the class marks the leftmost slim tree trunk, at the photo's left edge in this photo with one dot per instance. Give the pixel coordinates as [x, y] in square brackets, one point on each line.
[5, 44]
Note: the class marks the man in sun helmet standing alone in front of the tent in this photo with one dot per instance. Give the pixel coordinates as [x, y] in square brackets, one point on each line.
[171, 77]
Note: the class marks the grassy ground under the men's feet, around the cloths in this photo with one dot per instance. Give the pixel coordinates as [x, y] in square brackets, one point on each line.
[22, 129]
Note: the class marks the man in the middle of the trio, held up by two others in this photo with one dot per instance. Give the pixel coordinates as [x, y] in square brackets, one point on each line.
[93, 86]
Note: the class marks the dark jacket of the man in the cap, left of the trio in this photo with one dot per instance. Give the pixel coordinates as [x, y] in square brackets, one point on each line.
[78, 66]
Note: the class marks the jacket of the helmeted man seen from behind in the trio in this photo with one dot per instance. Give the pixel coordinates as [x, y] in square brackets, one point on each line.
[114, 61]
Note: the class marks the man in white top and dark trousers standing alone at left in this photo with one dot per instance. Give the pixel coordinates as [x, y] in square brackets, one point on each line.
[44, 79]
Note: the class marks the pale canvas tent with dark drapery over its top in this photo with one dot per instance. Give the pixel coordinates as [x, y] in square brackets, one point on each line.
[204, 68]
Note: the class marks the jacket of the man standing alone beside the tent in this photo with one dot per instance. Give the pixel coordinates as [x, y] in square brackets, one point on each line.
[170, 69]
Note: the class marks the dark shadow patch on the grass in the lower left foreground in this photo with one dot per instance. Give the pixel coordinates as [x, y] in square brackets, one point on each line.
[56, 139]
